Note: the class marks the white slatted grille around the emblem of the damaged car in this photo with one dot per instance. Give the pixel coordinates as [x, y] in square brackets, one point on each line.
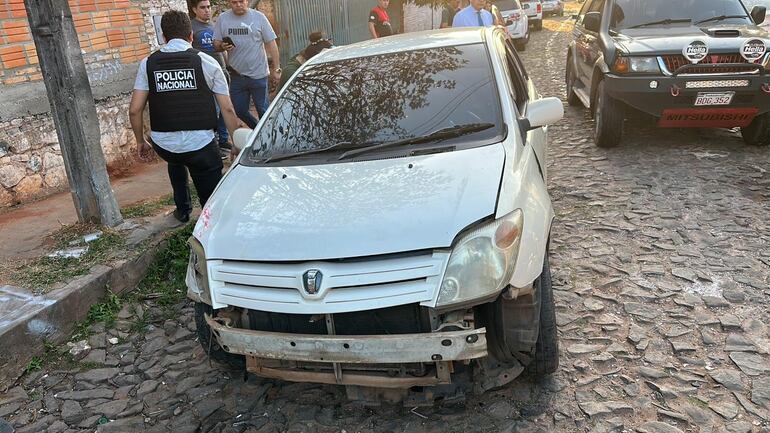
[346, 285]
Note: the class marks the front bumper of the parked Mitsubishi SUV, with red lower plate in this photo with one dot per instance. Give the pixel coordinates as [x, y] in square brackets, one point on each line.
[672, 98]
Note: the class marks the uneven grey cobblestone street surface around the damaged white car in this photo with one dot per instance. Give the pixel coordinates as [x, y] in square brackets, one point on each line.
[661, 264]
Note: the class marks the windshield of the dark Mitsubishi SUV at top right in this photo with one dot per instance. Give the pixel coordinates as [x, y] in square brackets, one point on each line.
[649, 13]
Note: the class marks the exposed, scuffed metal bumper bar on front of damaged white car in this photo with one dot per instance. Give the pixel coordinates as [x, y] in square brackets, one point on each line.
[439, 348]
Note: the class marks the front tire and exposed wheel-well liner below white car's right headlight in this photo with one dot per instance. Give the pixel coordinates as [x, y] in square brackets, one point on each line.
[523, 330]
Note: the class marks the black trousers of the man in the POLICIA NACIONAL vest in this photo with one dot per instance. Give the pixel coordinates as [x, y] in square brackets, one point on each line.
[205, 166]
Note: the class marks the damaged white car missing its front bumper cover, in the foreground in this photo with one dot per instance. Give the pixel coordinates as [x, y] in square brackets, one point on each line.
[387, 223]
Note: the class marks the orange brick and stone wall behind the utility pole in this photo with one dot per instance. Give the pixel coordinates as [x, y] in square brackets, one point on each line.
[114, 35]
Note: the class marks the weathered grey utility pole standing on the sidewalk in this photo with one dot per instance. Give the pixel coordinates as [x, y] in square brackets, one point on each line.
[73, 110]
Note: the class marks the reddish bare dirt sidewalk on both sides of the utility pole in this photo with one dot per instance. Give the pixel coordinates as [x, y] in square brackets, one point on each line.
[24, 229]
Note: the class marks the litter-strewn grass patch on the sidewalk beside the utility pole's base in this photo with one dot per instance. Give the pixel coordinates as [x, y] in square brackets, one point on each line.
[43, 272]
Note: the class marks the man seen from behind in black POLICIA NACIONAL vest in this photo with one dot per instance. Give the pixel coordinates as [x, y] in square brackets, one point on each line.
[182, 85]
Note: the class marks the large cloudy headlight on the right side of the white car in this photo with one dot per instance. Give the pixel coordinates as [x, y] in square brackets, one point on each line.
[481, 262]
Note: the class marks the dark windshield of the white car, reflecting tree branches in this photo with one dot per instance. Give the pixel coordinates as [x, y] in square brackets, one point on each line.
[337, 108]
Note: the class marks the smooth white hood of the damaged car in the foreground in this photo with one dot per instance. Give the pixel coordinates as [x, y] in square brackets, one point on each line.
[353, 209]
